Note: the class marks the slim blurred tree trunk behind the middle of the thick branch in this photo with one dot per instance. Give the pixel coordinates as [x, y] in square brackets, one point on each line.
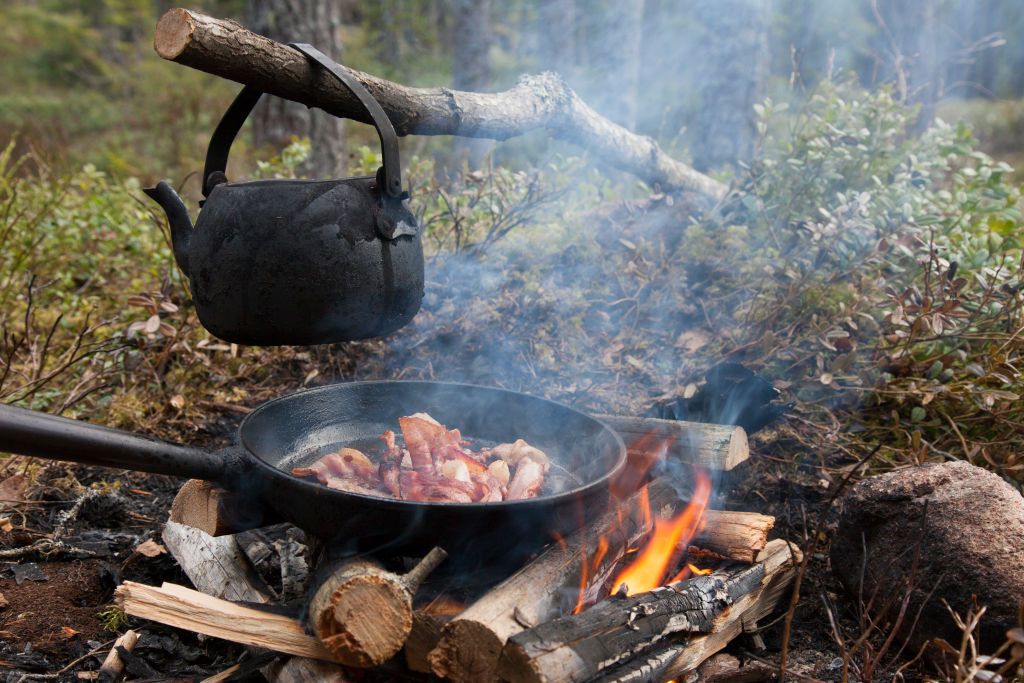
[472, 69]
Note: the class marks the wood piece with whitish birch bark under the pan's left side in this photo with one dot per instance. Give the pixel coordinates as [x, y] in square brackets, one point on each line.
[216, 566]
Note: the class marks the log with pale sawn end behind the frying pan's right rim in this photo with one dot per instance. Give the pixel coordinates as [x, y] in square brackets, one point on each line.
[719, 448]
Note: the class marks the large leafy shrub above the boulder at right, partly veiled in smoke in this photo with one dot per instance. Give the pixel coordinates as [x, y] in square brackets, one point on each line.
[884, 275]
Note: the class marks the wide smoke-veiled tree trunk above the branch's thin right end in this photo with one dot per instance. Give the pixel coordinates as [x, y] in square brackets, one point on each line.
[733, 80]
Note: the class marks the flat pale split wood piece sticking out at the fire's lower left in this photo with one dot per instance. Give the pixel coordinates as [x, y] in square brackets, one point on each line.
[185, 609]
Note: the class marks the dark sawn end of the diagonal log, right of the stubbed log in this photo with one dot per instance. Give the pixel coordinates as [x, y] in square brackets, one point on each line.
[468, 652]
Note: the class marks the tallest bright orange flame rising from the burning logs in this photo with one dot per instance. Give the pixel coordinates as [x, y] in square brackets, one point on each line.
[648, 571]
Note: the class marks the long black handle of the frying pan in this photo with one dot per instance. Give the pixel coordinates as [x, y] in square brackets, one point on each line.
[42, 436]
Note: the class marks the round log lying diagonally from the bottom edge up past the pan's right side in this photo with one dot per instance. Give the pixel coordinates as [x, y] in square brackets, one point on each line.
[472, 644]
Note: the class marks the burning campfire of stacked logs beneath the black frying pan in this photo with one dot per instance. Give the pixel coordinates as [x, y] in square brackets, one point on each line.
[648, 590]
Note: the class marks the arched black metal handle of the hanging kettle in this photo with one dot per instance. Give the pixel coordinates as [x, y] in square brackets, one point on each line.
[231, 123]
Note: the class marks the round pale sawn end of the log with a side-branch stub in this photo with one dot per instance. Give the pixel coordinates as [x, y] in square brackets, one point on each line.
[367, 623]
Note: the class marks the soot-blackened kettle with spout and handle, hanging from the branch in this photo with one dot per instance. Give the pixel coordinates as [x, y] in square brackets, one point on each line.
[297, 263]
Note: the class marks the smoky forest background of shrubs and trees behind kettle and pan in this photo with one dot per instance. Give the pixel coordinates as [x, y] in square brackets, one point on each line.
[867, 261]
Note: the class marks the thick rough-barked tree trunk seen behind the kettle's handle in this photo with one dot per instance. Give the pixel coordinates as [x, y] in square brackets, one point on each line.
[276, 121]
